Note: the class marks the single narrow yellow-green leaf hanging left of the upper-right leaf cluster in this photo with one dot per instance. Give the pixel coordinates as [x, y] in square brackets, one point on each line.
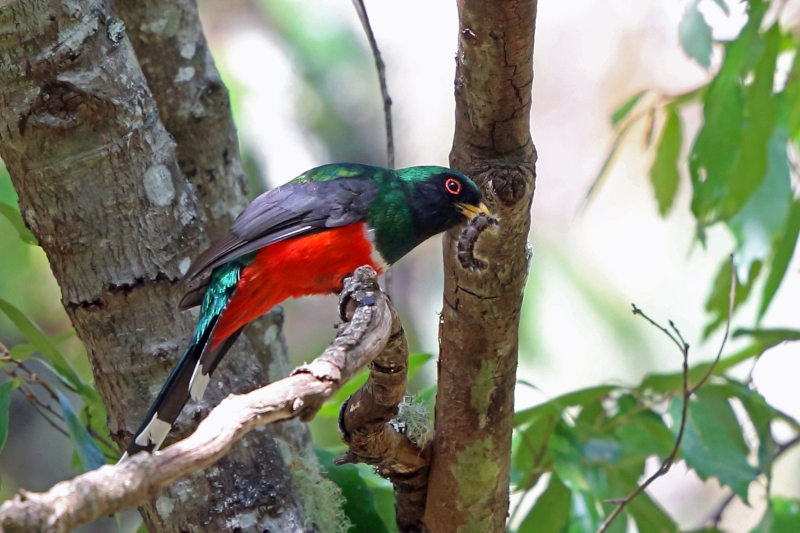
[664, 173]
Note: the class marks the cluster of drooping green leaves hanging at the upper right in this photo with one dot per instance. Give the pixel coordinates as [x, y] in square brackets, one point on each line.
[739, 162]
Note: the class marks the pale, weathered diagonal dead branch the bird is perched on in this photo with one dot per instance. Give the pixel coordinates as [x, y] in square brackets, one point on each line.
[112, 488]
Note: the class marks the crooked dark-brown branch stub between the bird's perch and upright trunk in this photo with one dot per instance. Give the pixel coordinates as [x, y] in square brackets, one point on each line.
[365, 424]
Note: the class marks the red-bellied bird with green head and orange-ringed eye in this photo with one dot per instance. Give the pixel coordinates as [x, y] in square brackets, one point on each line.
[299, 239]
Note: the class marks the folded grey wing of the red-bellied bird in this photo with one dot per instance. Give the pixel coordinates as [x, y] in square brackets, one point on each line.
[292, 210]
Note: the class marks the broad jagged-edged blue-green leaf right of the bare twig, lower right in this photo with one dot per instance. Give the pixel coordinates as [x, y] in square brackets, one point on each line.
[709, 448]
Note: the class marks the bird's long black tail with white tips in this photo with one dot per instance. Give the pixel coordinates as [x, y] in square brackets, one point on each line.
[188, 379]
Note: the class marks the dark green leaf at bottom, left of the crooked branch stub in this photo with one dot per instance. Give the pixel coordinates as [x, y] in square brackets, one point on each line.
[360, 506]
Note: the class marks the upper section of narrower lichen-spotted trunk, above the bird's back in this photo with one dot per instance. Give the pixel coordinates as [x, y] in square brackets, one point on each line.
[192, 102]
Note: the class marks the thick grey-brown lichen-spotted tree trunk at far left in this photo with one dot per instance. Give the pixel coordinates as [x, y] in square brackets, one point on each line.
[100, 187]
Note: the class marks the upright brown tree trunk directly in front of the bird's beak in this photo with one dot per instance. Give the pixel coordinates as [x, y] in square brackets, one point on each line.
[468, 485]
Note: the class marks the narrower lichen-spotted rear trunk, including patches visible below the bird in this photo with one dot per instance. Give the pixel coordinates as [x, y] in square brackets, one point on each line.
[194, 107]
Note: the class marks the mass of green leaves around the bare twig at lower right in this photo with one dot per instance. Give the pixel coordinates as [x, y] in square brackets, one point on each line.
[592, 446]
